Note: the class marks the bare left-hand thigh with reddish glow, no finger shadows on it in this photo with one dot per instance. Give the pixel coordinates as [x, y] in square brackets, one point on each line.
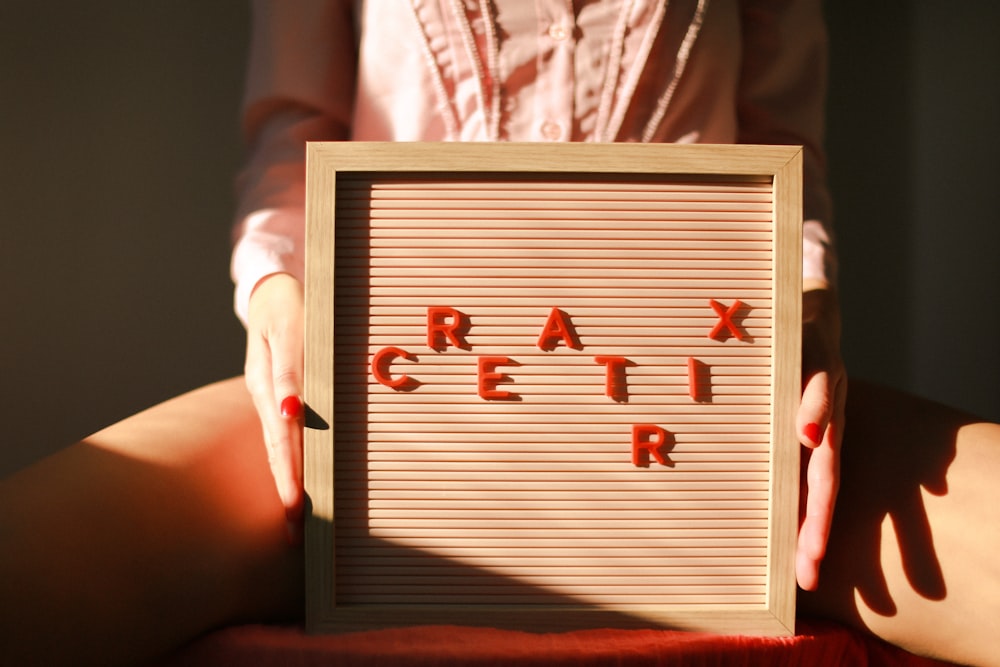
[144, 535]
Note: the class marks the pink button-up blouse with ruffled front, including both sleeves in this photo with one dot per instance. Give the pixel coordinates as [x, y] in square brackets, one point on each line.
[711, 71]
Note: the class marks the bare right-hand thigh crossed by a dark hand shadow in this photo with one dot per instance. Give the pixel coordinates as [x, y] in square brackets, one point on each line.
[914, 552]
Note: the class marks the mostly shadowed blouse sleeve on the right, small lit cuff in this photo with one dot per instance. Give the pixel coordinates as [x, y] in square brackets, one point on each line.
[782, 96]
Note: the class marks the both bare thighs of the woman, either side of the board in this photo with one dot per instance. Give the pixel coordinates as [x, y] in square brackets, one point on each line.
[167, 524]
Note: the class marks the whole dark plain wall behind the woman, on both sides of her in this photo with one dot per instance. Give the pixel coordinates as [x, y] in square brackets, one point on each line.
[118, 143]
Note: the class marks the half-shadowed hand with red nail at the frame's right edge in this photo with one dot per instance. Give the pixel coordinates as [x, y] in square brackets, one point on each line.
[820, 427]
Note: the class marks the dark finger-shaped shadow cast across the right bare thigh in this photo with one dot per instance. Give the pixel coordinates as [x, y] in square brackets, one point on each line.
[896, 447]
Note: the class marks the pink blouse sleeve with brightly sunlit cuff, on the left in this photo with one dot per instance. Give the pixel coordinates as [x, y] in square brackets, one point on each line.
[299, 88]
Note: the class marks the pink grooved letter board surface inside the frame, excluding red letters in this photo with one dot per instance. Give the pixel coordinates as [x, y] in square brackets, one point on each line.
[446, 498]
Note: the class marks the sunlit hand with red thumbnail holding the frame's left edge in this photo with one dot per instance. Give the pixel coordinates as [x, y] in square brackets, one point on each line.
[274, 377]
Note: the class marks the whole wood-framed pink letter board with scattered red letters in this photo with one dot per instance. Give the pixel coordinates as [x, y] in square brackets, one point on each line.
[501, 435]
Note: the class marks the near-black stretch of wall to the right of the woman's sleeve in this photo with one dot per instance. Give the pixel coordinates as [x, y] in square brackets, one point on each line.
[914, 148]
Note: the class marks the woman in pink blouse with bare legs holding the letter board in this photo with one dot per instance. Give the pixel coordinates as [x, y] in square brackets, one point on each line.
[181, 519]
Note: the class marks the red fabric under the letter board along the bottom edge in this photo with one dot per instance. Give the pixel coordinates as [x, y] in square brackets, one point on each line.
[817, 644]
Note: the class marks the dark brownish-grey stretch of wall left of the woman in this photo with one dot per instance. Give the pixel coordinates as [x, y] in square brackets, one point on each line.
[118, 142]
